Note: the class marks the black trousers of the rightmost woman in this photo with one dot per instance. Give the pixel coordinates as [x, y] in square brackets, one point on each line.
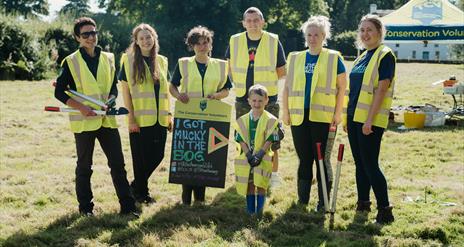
[365, 150]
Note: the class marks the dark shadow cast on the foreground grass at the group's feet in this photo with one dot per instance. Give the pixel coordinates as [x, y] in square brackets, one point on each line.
[225, 215]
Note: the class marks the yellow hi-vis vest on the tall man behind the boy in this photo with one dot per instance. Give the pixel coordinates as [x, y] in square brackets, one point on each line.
[265, 62]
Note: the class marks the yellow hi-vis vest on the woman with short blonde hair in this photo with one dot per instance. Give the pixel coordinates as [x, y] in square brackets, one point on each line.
[323, 86]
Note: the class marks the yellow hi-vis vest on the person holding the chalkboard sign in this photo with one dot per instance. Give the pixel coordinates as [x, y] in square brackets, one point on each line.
[214, 79]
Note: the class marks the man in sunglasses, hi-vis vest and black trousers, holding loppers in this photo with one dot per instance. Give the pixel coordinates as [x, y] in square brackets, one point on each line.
[91, 71]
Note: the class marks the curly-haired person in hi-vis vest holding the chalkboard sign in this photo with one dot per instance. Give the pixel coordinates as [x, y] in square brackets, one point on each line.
[200, 76]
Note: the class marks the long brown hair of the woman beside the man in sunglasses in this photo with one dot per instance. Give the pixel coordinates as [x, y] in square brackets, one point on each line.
[138, 65]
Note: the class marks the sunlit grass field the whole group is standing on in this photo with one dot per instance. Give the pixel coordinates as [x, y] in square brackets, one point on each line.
[424, 170]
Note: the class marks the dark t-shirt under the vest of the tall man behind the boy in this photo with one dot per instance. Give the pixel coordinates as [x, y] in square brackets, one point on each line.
[252, 47]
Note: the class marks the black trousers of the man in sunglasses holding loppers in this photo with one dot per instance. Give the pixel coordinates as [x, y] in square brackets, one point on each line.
[110, 142]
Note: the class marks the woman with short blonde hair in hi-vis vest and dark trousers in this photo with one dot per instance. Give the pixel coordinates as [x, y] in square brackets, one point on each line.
[313, 100]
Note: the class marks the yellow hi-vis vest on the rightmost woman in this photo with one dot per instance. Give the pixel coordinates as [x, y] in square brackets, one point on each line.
[369, 86]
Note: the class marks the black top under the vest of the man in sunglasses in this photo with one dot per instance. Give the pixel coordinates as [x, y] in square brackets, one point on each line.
[65, 80]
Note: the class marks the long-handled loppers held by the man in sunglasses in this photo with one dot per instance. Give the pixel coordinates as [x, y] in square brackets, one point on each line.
[108, 107]
